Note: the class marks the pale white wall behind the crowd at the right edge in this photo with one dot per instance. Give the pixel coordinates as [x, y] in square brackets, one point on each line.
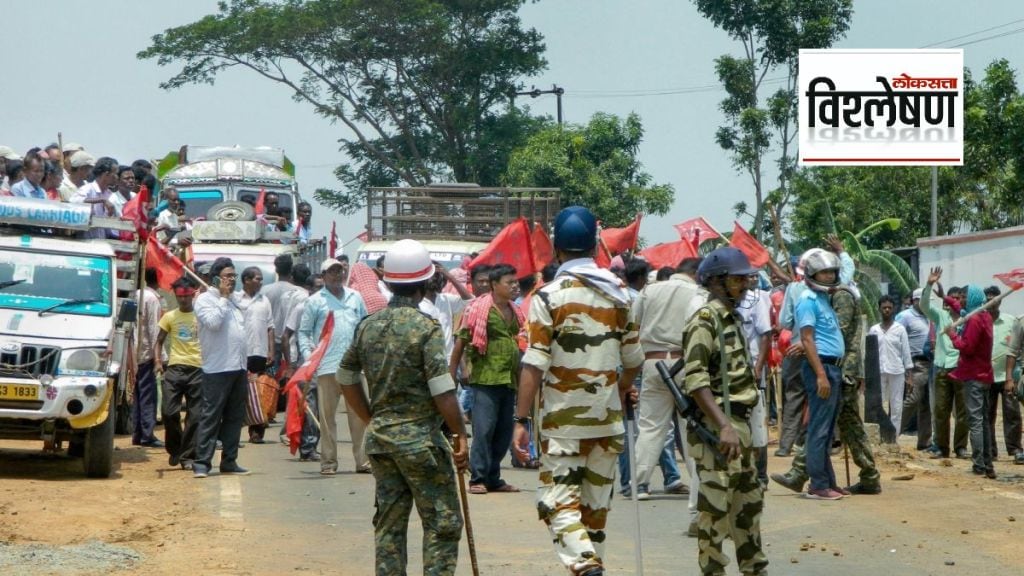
[974, 259]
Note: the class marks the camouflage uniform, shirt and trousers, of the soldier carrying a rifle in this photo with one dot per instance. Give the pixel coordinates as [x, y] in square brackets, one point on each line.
[731, 500]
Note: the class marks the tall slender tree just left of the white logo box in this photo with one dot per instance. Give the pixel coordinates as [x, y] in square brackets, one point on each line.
[772, 33]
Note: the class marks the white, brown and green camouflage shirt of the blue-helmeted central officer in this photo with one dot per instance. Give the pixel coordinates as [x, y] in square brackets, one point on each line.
[580, 338]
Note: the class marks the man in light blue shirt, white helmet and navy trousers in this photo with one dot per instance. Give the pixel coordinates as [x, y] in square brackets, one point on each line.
[824, 349]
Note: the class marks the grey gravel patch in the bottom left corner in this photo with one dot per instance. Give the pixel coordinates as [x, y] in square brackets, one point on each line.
[91, 558]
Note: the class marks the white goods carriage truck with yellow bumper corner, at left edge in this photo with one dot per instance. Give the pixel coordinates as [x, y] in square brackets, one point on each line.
[67, 314]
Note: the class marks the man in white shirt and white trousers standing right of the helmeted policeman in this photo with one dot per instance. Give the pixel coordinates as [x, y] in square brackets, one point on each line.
[895, 362]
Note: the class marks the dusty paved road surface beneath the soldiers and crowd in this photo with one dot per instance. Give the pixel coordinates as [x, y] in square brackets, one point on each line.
[308, 523]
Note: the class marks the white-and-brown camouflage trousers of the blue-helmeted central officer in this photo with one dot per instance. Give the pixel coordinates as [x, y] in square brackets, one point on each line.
[577, 482]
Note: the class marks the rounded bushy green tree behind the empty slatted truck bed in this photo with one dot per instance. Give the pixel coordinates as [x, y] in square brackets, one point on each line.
[595, 167]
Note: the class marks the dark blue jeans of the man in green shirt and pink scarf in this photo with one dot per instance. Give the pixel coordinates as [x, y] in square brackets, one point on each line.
[494, 407]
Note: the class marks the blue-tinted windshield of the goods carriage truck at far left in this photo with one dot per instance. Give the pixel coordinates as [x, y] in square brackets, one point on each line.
[36, 281]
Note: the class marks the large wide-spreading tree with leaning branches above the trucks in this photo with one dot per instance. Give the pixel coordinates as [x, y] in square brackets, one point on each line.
[422, 87]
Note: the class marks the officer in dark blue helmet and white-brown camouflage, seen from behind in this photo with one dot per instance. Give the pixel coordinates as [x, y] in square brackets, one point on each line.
[580, 336]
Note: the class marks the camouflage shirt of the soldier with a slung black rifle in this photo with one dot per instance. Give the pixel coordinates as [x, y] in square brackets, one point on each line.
[704, 360]
